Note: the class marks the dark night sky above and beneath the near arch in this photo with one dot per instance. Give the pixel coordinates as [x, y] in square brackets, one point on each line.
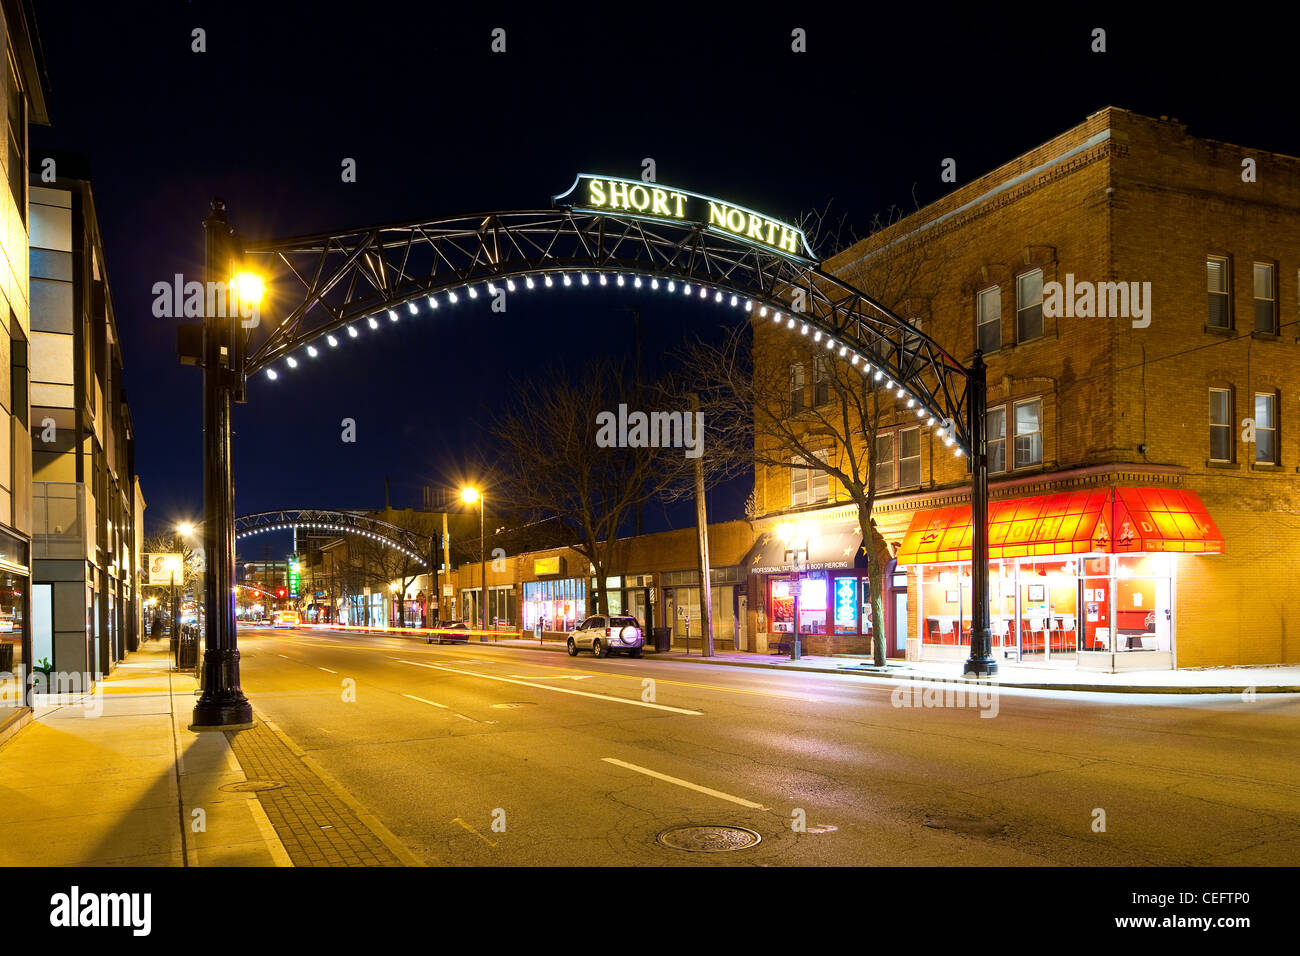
[440, 126]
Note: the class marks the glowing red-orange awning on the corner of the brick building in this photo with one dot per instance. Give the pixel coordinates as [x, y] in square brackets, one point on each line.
[1141, 520]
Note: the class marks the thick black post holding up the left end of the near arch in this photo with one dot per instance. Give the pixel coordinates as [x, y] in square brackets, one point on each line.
[223, 704]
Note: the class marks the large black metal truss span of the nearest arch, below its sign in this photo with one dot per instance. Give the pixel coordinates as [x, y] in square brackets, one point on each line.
[339, 279]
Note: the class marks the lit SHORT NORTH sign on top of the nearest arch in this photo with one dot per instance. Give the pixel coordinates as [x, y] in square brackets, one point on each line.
[592, 193]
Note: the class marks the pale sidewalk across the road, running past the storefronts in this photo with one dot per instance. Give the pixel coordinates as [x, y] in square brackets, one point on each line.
[1236, 681]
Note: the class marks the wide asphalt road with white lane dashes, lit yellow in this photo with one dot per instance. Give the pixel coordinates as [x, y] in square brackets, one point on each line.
[480, 755]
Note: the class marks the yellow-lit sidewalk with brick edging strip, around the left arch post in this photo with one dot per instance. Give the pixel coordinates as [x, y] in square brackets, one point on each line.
[116, 778]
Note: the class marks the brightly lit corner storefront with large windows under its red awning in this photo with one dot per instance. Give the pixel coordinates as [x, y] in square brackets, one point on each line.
[1082, 578]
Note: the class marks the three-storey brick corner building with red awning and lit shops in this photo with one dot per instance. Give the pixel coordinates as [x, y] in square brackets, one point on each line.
[1137, 520]
